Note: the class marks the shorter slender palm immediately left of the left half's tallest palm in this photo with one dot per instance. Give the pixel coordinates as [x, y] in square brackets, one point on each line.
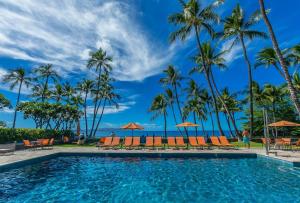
[85, 87]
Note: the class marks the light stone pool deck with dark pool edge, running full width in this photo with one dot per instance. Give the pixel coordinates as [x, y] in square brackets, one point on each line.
[22, 156]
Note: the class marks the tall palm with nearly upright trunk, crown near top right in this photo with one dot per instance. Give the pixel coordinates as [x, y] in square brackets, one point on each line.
[238, 28]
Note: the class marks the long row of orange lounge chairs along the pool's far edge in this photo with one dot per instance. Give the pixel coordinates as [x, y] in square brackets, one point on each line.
[157, 142]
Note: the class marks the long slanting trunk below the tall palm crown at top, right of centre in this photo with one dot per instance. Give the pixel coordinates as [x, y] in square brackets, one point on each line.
[209, 83]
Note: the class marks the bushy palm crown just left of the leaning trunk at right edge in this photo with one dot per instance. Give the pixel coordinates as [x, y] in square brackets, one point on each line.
[267, 57]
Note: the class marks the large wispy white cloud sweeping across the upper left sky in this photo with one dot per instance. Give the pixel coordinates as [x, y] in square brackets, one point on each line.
[63, 33]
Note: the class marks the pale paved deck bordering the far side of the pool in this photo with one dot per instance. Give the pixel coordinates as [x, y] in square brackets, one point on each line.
[27, 155]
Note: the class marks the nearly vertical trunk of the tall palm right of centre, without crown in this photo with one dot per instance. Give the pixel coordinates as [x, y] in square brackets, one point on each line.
[250, 83]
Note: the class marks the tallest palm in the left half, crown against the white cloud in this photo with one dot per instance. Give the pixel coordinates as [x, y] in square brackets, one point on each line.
[101, 62]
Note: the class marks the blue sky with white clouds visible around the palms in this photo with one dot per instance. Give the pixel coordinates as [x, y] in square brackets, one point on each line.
[135, 33]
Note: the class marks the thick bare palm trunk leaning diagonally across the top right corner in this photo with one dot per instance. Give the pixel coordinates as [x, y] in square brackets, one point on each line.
[284, 67]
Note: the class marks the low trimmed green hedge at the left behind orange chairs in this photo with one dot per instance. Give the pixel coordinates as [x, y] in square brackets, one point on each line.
[10, 135]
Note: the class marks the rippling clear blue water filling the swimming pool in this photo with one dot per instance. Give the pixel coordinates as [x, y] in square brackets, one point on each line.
[96, 179]
